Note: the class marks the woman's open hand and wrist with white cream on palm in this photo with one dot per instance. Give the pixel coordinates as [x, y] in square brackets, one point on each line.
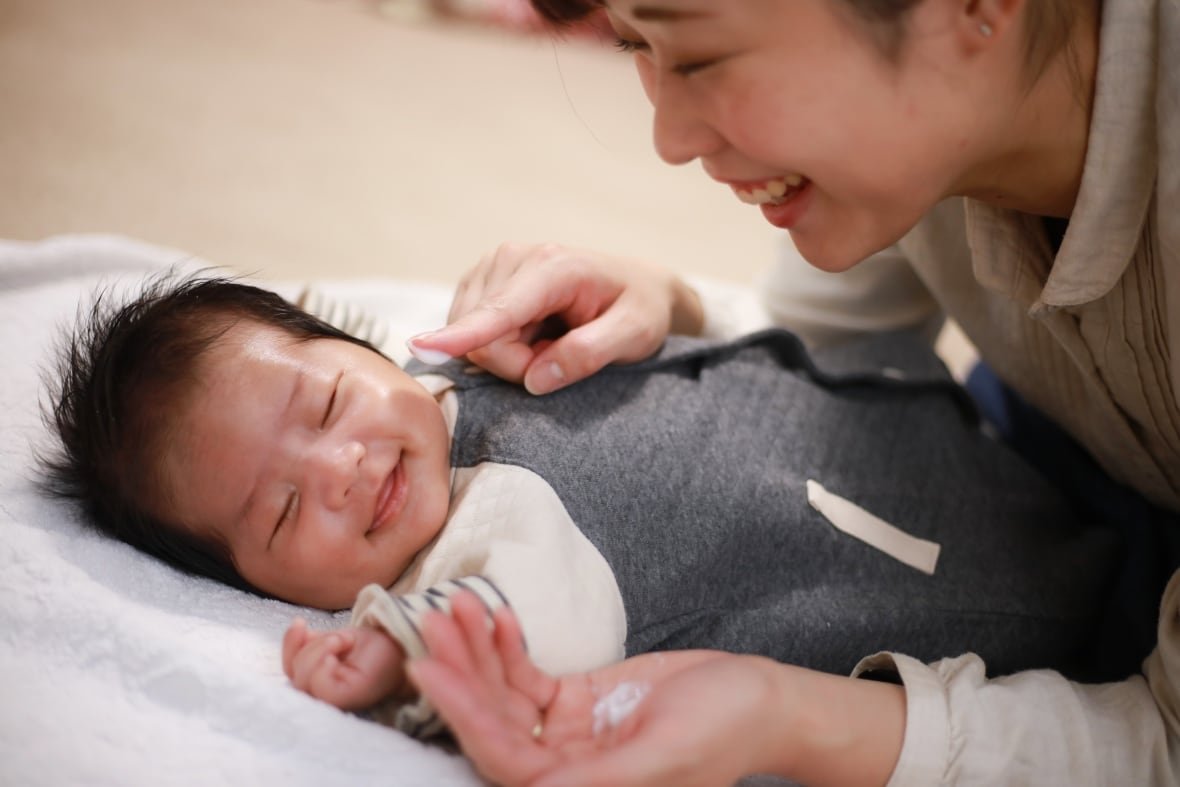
[679, 718]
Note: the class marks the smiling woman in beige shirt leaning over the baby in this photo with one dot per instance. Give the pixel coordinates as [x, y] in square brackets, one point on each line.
[1014, 163]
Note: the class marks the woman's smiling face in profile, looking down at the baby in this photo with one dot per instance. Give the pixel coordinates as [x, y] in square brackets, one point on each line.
[797, 108]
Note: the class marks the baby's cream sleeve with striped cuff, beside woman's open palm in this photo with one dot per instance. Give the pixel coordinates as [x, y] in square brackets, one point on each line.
[510, 540]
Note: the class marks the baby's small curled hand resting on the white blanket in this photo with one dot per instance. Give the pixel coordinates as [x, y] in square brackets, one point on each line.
[352, 668]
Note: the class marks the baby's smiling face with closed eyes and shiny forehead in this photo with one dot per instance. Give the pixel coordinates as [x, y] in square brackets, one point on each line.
[320, 463]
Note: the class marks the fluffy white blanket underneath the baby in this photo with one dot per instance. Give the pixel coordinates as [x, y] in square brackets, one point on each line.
[117, 670]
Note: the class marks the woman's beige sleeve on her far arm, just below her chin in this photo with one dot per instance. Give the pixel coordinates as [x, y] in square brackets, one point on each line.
[880, 294]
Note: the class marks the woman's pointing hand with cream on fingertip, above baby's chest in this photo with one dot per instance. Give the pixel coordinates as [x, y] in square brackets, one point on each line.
[548, 317]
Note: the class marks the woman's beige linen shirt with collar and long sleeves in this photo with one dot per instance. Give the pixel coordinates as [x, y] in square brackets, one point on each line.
[1092, 338]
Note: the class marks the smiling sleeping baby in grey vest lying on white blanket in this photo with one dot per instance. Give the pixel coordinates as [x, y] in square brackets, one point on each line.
[657, 506]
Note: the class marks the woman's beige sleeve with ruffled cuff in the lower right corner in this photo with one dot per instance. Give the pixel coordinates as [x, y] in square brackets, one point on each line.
[1037, 727]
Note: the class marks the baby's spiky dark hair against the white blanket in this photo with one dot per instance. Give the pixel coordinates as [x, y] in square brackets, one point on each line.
[120, 381]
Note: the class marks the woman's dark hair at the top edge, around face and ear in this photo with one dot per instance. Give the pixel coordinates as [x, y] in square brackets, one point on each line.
[1048, 23]
